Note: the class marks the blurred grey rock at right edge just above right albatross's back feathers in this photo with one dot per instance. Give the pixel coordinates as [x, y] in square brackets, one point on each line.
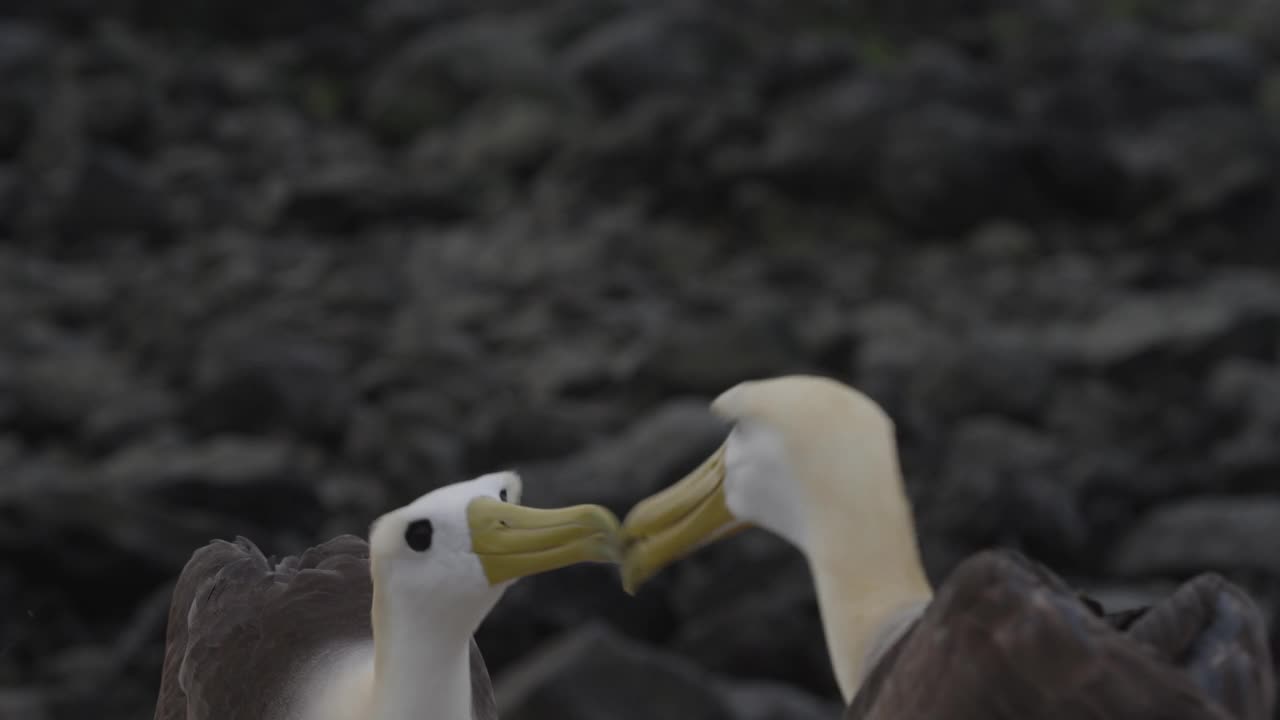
[1200, 535]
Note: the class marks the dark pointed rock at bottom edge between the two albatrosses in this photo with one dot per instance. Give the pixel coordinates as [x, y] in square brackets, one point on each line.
[596, 673]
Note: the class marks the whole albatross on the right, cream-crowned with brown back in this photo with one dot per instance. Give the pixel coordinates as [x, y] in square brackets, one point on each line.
[1003, 637]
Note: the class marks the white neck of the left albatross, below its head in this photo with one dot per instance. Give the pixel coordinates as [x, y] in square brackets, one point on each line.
[420, 669]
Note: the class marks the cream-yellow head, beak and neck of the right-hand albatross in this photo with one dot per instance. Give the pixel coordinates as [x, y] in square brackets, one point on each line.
[815, 462]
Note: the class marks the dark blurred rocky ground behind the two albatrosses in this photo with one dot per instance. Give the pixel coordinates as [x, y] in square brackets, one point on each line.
[272, 268]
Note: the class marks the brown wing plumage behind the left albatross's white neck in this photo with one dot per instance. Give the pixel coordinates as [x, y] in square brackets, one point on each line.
[239, 627]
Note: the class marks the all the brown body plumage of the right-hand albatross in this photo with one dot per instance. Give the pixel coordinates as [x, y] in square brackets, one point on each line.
[1005, 639]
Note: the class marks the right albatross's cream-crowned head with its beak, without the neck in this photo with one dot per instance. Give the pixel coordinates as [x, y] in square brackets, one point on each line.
[804, 452]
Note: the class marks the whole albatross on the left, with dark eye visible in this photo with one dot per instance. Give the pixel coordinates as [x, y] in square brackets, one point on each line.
[378, 631]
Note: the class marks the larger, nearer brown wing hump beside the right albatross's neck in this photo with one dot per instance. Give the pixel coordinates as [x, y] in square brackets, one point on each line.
[1005, 639]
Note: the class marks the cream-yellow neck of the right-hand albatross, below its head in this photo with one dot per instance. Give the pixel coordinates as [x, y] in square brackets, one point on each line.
[866, 562]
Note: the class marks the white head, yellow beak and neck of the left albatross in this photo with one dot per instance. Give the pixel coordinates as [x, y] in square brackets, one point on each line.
[440, 566]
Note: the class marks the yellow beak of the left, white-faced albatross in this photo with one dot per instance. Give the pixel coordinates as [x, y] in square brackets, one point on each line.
[514, 541]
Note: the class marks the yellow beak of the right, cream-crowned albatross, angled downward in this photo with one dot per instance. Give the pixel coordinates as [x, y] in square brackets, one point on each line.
[676, 522]
